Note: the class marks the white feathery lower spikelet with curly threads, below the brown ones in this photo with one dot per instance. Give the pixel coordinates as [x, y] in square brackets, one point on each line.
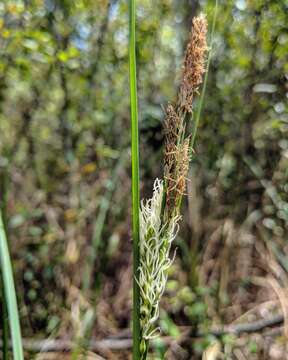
[155, 244]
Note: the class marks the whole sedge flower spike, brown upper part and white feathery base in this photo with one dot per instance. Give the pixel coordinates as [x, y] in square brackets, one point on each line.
[160, 216]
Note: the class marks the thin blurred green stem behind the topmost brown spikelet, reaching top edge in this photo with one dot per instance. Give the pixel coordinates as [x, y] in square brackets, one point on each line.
[201, 101]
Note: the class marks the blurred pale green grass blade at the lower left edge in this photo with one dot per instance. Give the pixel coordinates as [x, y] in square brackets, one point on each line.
[10, 294]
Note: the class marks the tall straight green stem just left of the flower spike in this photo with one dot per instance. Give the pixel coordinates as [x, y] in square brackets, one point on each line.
[135, 181]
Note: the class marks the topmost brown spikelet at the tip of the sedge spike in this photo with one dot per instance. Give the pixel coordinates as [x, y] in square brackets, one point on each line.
[194, 62]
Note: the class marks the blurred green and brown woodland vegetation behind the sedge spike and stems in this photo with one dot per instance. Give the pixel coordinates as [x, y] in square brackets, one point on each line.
[65, 170]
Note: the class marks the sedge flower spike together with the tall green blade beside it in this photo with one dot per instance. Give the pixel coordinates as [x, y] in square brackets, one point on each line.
[156, 221]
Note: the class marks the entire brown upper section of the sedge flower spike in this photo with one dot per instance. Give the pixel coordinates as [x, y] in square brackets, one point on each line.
[176, 157]
